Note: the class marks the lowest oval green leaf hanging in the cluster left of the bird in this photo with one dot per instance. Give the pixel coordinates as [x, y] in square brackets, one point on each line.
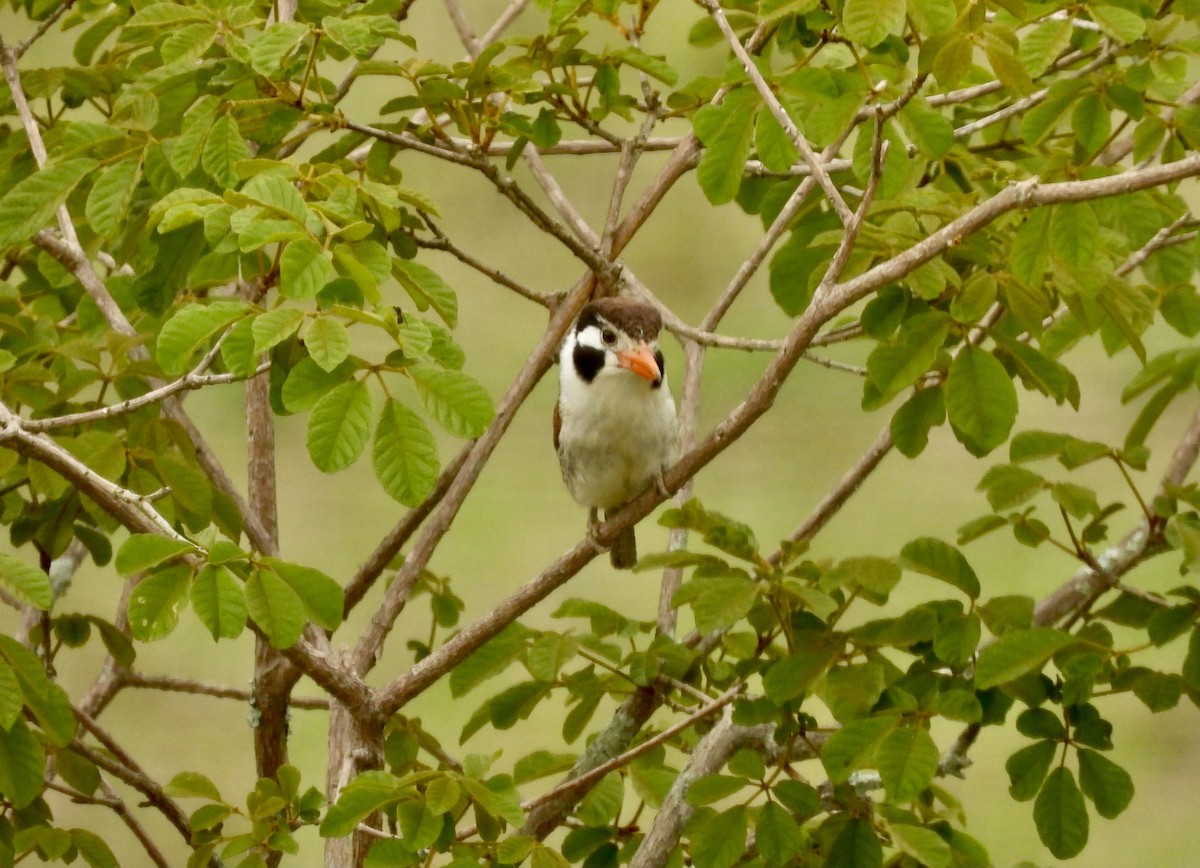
[405, 454]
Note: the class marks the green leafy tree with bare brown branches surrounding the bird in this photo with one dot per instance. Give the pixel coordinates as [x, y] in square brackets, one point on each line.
[963, 193]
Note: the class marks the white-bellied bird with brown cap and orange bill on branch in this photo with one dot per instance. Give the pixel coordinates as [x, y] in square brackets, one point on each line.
[615, 422]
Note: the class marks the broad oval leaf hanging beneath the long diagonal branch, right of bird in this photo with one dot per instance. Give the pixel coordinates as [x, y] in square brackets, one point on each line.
[981, 400]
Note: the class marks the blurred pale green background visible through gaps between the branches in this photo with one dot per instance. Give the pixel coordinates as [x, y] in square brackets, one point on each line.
[520, 518]
